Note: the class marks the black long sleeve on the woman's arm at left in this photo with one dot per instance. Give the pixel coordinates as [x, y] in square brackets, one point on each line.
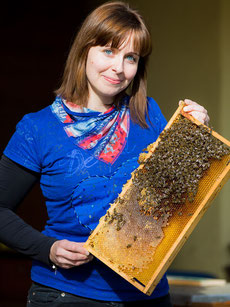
[15, 183]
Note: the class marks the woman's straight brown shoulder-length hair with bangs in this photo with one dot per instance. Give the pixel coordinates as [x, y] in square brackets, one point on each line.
[110, 23]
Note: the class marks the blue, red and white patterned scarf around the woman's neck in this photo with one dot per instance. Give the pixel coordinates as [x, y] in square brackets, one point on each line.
[103, 135]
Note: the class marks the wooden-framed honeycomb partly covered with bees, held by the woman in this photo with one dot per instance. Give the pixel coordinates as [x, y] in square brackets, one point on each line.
[163, 201]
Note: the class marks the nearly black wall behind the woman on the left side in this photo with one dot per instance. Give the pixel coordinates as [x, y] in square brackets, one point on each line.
[35, 39]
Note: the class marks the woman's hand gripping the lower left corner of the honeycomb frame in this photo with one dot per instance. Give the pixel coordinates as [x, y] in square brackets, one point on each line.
[67, 254]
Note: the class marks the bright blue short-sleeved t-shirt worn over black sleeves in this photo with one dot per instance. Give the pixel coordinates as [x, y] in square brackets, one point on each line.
[79, 187]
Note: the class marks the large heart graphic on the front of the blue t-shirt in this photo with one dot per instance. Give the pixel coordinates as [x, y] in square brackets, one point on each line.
[93, 195]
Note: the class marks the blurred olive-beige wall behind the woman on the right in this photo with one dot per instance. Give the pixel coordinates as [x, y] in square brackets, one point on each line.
[191, 58]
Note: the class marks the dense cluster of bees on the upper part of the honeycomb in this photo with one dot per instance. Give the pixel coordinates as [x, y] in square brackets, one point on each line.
[171, 175]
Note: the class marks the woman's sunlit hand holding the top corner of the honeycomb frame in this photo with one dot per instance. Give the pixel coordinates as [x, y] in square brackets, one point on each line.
[196, 110]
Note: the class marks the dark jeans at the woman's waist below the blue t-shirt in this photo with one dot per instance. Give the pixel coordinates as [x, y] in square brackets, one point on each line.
[40, 295]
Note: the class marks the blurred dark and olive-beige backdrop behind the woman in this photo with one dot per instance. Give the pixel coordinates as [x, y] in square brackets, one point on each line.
[190, 59]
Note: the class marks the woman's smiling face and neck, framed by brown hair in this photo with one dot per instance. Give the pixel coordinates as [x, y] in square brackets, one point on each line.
[109, 71]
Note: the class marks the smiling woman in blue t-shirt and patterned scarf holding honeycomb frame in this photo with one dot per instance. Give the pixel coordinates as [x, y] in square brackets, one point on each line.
[83, 148]
